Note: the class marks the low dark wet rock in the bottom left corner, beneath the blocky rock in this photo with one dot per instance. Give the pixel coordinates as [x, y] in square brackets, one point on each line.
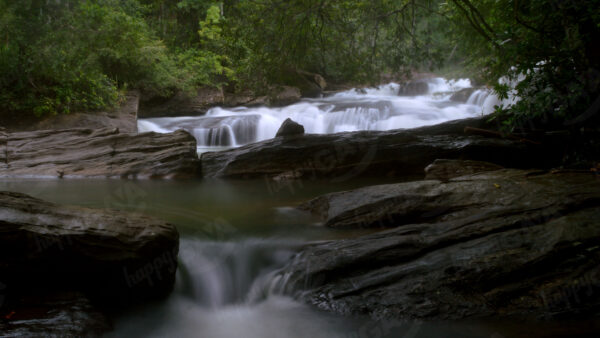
[60, 314]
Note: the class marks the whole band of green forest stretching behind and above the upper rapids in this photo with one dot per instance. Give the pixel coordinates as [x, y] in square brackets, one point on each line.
[60, 56]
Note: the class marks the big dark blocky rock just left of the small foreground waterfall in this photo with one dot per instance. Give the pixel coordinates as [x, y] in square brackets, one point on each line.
[113, 257]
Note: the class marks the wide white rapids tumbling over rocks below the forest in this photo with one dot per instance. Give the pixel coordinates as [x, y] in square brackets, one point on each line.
[365, 109]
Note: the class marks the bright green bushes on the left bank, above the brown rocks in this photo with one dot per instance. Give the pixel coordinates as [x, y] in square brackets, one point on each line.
[59, 57]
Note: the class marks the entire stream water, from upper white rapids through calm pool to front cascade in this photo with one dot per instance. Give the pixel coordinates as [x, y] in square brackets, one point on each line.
[235, 235]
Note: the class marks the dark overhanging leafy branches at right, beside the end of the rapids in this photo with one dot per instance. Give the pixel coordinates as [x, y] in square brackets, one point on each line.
[548, 47]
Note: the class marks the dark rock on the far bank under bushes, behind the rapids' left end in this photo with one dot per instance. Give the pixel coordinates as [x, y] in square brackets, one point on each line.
[182, 104]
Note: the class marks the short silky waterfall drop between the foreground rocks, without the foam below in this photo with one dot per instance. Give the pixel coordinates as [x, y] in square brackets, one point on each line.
[217, 274]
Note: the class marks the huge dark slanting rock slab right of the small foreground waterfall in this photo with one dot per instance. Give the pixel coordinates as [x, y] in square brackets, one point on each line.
[502, 243]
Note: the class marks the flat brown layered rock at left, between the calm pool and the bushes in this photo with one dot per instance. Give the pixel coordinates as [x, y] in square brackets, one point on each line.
[98, 153]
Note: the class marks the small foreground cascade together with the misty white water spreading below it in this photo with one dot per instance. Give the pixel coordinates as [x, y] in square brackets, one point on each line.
[219, 293]
